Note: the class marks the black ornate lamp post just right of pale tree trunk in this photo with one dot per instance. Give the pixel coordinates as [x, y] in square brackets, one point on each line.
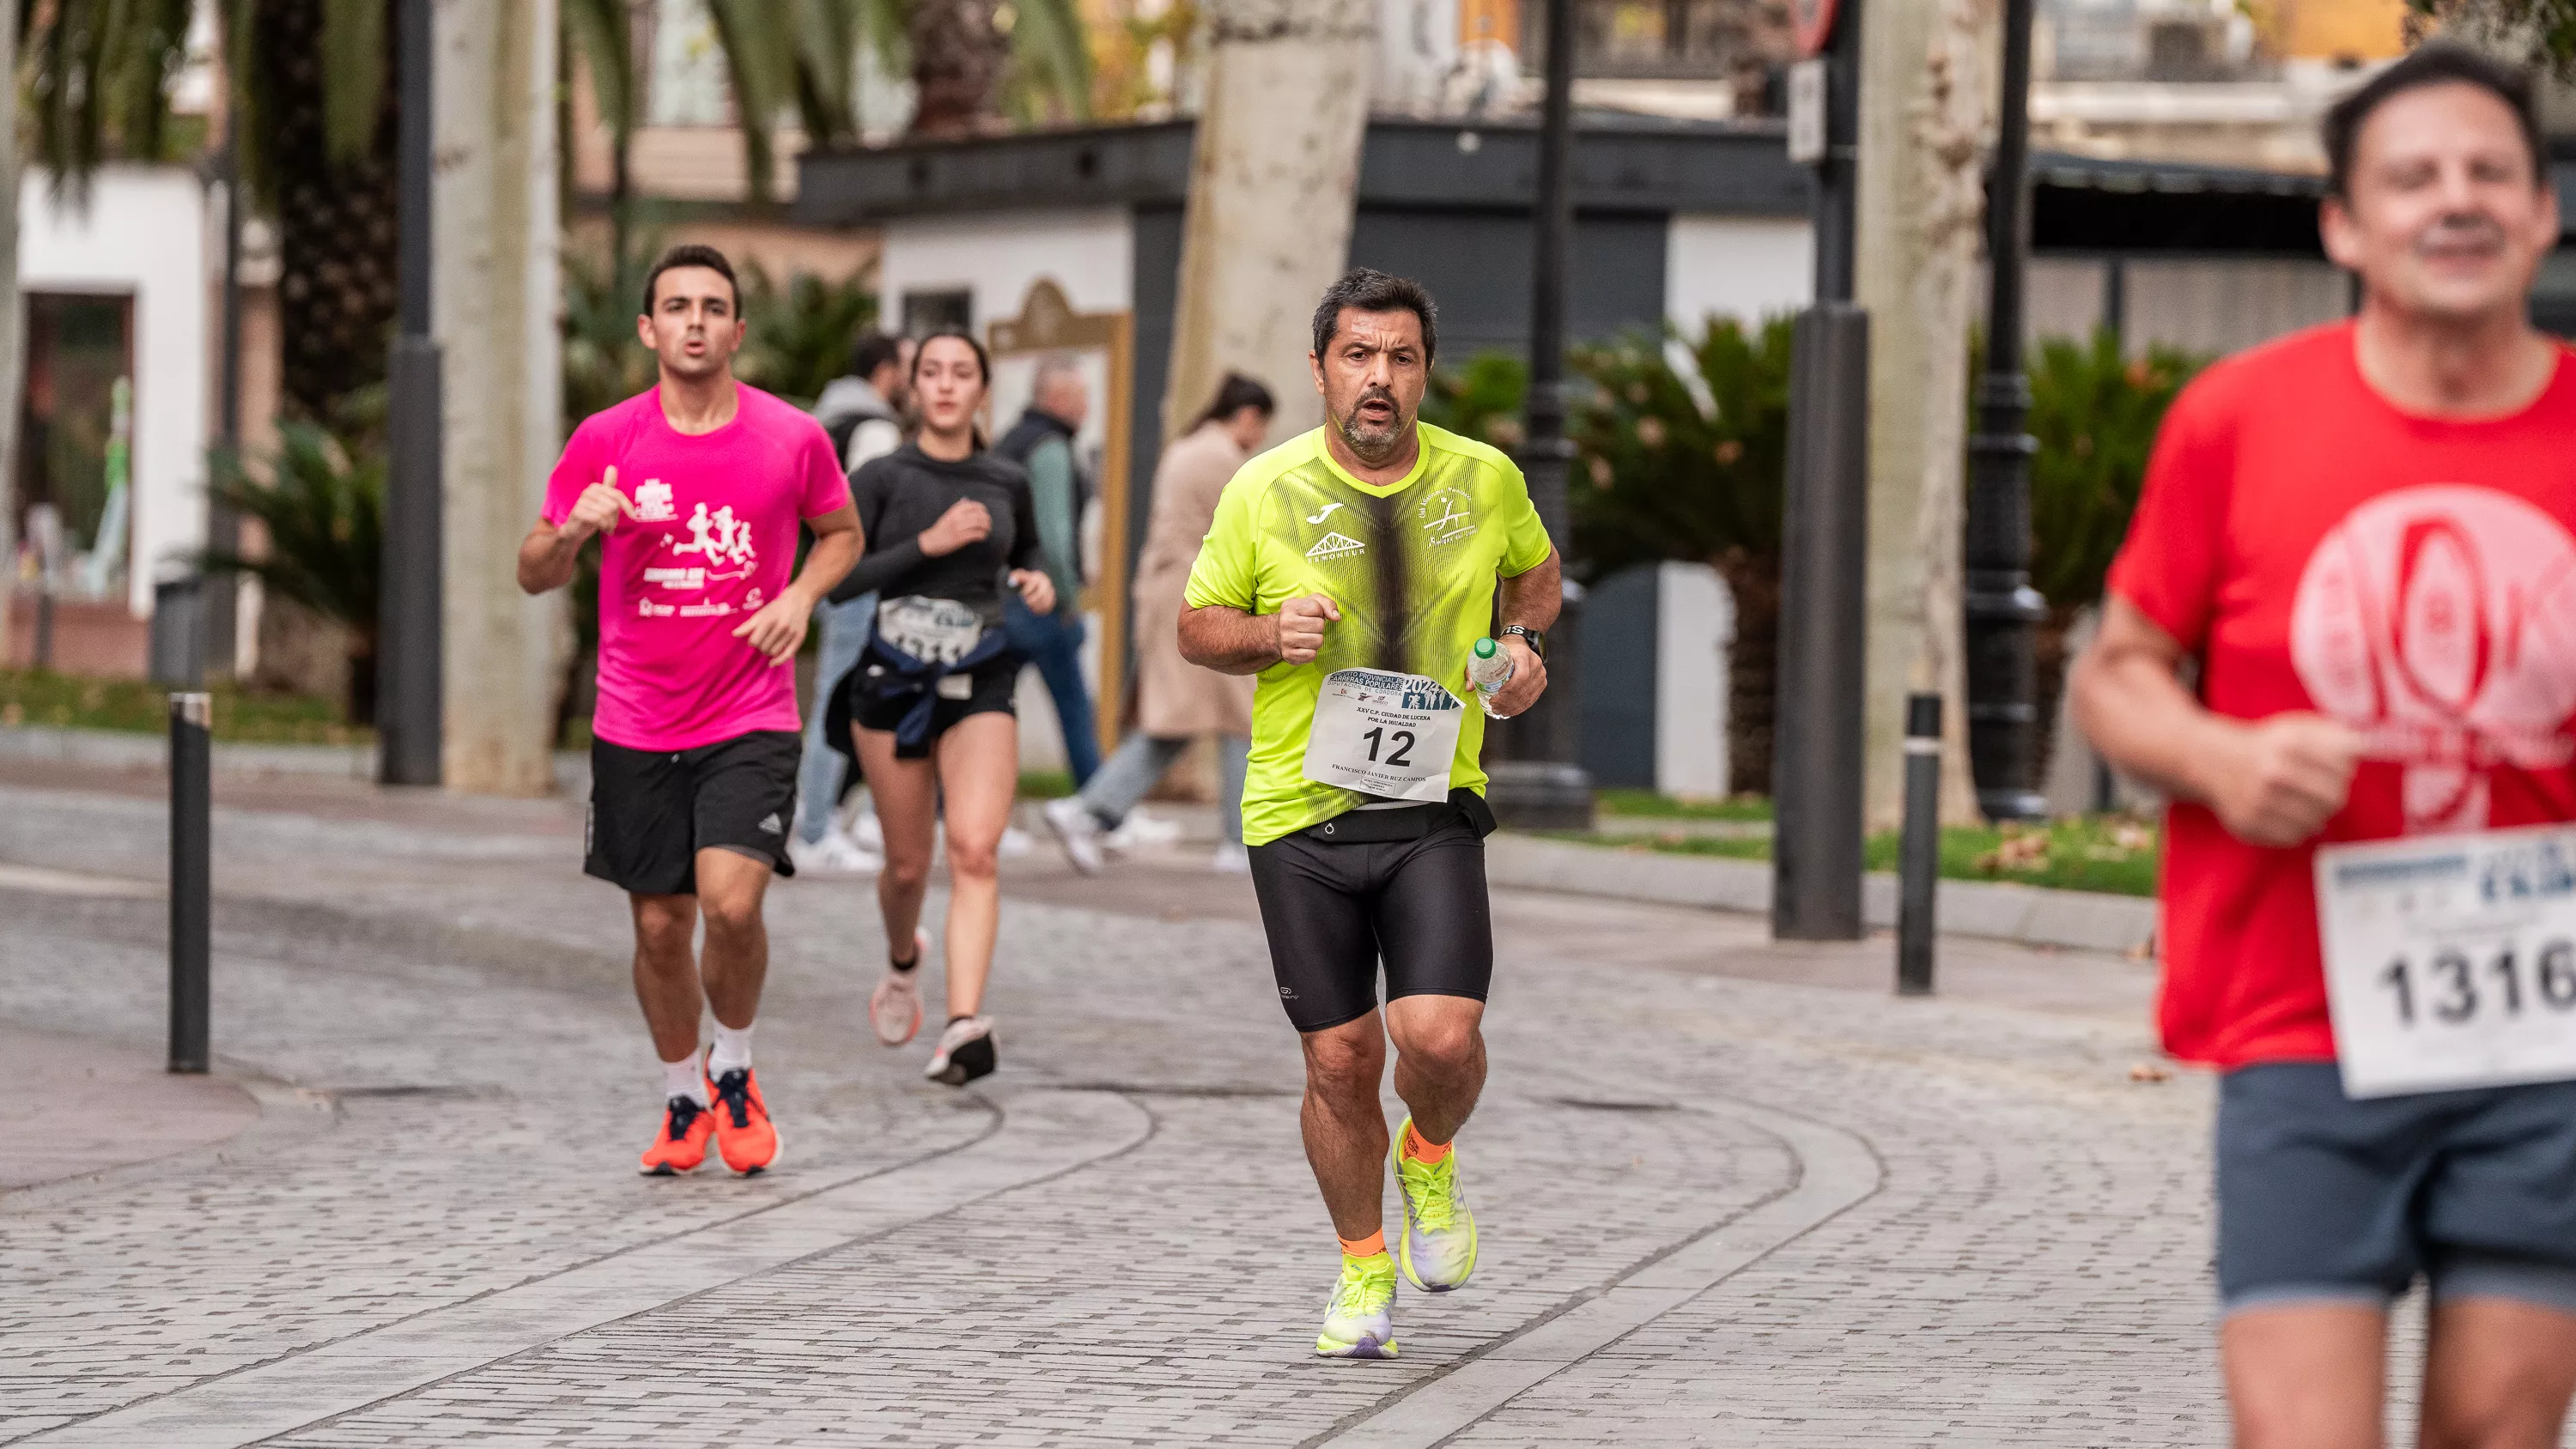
[2003, 611]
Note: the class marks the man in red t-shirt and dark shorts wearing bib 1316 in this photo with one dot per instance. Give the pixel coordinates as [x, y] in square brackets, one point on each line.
[2366, 542]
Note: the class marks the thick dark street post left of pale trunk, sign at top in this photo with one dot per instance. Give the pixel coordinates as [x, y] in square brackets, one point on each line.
[1817, 740]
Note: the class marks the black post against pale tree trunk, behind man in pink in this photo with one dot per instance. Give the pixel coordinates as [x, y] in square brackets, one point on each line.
[408, 629]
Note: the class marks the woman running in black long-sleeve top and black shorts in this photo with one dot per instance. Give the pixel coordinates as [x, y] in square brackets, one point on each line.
[949, 529]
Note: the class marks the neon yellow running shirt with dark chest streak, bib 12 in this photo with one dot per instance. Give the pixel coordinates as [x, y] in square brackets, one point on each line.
[1410, 565]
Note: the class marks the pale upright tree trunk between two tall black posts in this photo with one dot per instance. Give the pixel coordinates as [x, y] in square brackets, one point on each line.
[1926, 115]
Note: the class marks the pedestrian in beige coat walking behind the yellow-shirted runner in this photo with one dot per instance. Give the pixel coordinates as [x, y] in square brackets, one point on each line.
[1179, 701]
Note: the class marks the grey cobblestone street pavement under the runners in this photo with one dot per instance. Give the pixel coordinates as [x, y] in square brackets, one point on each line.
[1732, 1193]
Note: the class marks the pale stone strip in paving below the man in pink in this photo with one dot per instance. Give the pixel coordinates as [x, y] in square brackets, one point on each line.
[1042, 1136]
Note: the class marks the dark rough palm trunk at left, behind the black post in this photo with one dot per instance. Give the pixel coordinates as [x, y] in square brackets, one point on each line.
[336, 220]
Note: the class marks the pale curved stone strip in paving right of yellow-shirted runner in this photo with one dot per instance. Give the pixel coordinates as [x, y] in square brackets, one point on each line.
[1835, 1172]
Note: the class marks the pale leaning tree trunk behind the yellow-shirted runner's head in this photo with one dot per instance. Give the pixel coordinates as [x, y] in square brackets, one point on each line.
[1279, 140]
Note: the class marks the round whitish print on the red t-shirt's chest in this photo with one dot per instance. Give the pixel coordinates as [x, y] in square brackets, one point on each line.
[2441, 624]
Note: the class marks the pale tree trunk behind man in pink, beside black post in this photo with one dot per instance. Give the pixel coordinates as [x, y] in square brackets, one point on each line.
[493, 305]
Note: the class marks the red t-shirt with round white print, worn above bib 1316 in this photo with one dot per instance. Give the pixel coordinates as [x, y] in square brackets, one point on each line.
[2412, 578]
